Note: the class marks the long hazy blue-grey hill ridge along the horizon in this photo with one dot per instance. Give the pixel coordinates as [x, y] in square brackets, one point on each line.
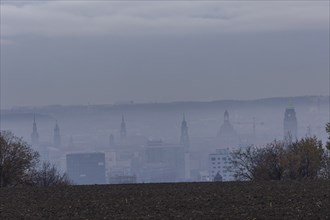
[276, 101]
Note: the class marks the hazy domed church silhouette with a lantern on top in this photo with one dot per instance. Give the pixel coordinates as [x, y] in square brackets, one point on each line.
[227, 135]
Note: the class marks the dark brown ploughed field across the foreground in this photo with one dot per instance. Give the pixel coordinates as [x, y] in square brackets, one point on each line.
[231, 200]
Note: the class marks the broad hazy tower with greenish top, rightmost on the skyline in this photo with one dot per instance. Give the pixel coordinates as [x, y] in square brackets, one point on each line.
[290, 124]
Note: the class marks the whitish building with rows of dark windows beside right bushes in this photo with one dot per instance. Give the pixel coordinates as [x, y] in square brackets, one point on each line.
[219, 163]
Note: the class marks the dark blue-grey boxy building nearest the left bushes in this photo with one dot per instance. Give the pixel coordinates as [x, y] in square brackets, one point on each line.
[86, 168]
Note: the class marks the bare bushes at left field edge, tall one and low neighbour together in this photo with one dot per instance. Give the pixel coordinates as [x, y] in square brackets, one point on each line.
[20, 165]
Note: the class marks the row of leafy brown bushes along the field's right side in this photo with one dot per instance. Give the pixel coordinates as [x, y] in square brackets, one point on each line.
[303, 159]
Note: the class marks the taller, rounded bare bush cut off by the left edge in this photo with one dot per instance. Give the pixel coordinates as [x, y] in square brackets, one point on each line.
[17, 159]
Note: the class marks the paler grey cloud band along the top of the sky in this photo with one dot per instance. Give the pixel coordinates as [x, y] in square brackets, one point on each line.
[120, 18]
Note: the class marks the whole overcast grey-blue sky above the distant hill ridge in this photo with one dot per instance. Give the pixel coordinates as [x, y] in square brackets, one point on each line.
[79, 52]
